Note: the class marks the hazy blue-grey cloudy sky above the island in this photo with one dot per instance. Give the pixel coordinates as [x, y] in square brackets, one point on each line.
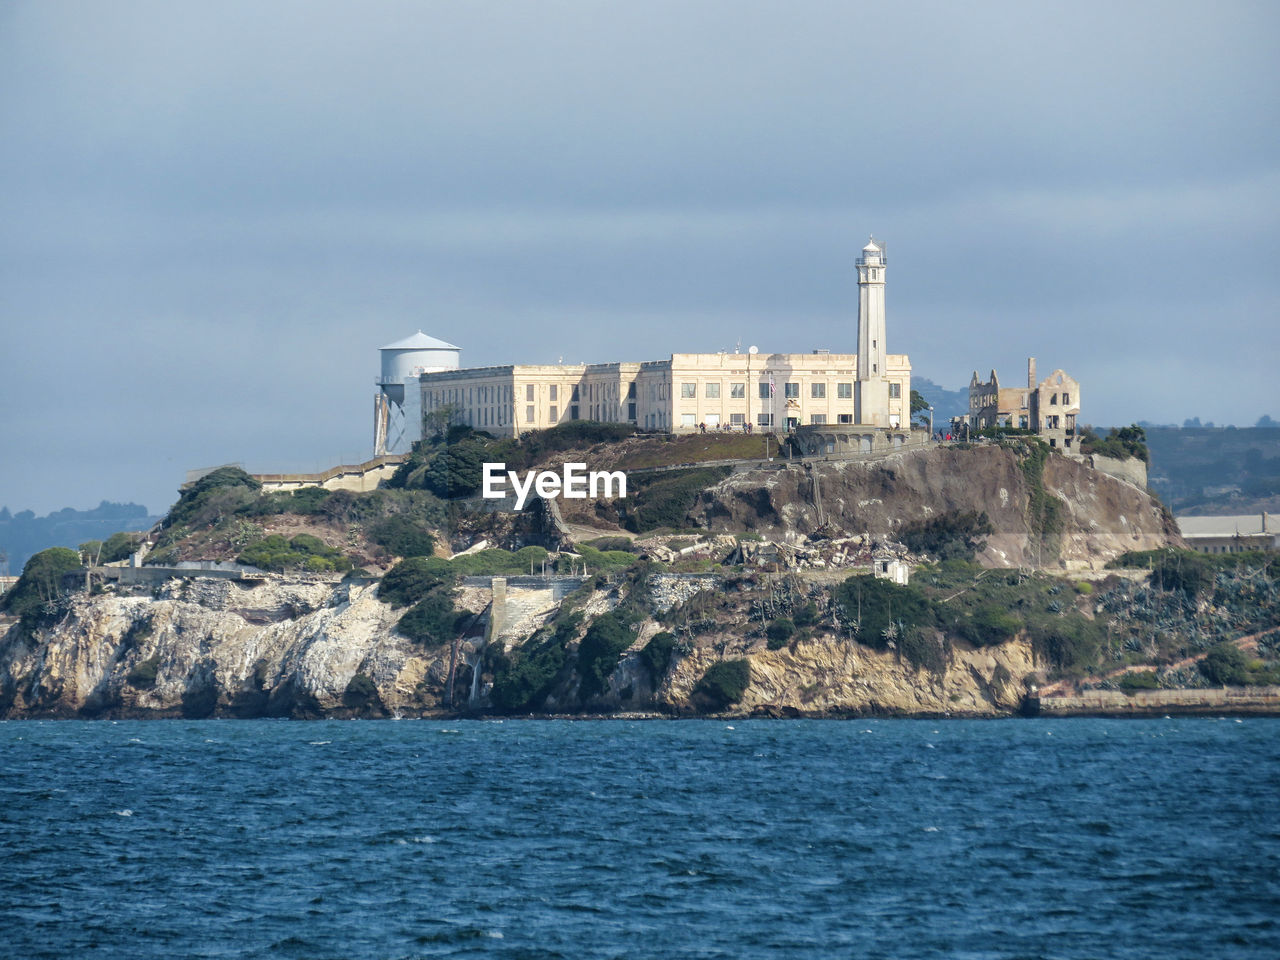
[214, 214]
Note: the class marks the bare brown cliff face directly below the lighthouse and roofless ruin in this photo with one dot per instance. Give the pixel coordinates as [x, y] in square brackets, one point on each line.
[1096, 518]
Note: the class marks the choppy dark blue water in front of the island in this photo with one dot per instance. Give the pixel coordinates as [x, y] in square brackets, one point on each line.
[616, 839]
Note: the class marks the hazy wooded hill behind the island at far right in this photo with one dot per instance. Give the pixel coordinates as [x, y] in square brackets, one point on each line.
[1217, 470]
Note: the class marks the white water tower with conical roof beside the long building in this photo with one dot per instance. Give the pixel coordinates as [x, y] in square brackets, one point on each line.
[399, 404]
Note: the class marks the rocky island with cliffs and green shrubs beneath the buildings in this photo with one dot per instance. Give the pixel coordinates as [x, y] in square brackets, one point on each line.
[980, 579]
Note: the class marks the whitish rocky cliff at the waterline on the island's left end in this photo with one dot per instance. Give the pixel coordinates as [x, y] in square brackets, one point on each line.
[207, 647]
